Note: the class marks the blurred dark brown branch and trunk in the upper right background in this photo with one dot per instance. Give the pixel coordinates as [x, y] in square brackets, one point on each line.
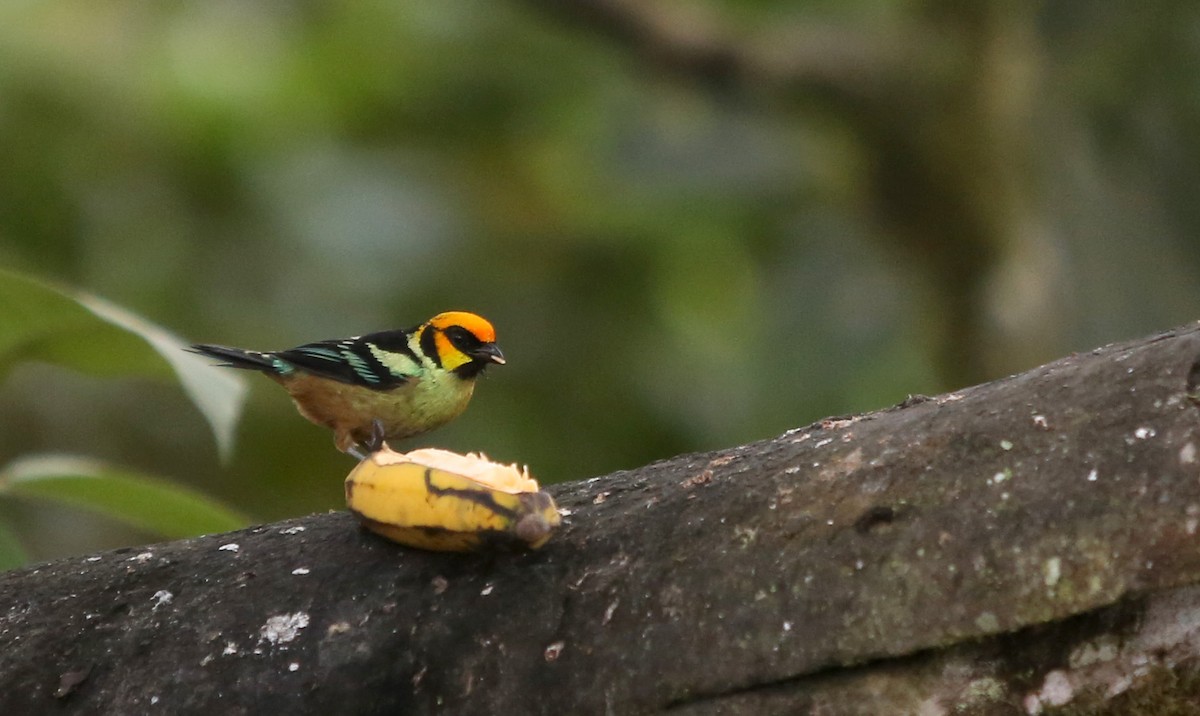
[935, 107]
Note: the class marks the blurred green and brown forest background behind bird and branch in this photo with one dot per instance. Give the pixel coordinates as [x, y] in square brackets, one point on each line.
[695, 225]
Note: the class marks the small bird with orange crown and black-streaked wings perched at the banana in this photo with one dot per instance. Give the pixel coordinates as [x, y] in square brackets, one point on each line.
[380, 387]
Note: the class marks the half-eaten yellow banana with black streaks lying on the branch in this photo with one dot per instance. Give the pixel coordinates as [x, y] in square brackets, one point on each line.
[441, 501]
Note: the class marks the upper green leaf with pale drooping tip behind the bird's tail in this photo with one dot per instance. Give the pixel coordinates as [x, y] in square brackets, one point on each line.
[85, 333]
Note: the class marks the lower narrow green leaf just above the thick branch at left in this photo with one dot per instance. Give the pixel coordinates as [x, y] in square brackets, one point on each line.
[135, 500]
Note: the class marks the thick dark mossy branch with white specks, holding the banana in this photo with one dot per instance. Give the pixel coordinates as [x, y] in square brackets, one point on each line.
[1027, 539]
